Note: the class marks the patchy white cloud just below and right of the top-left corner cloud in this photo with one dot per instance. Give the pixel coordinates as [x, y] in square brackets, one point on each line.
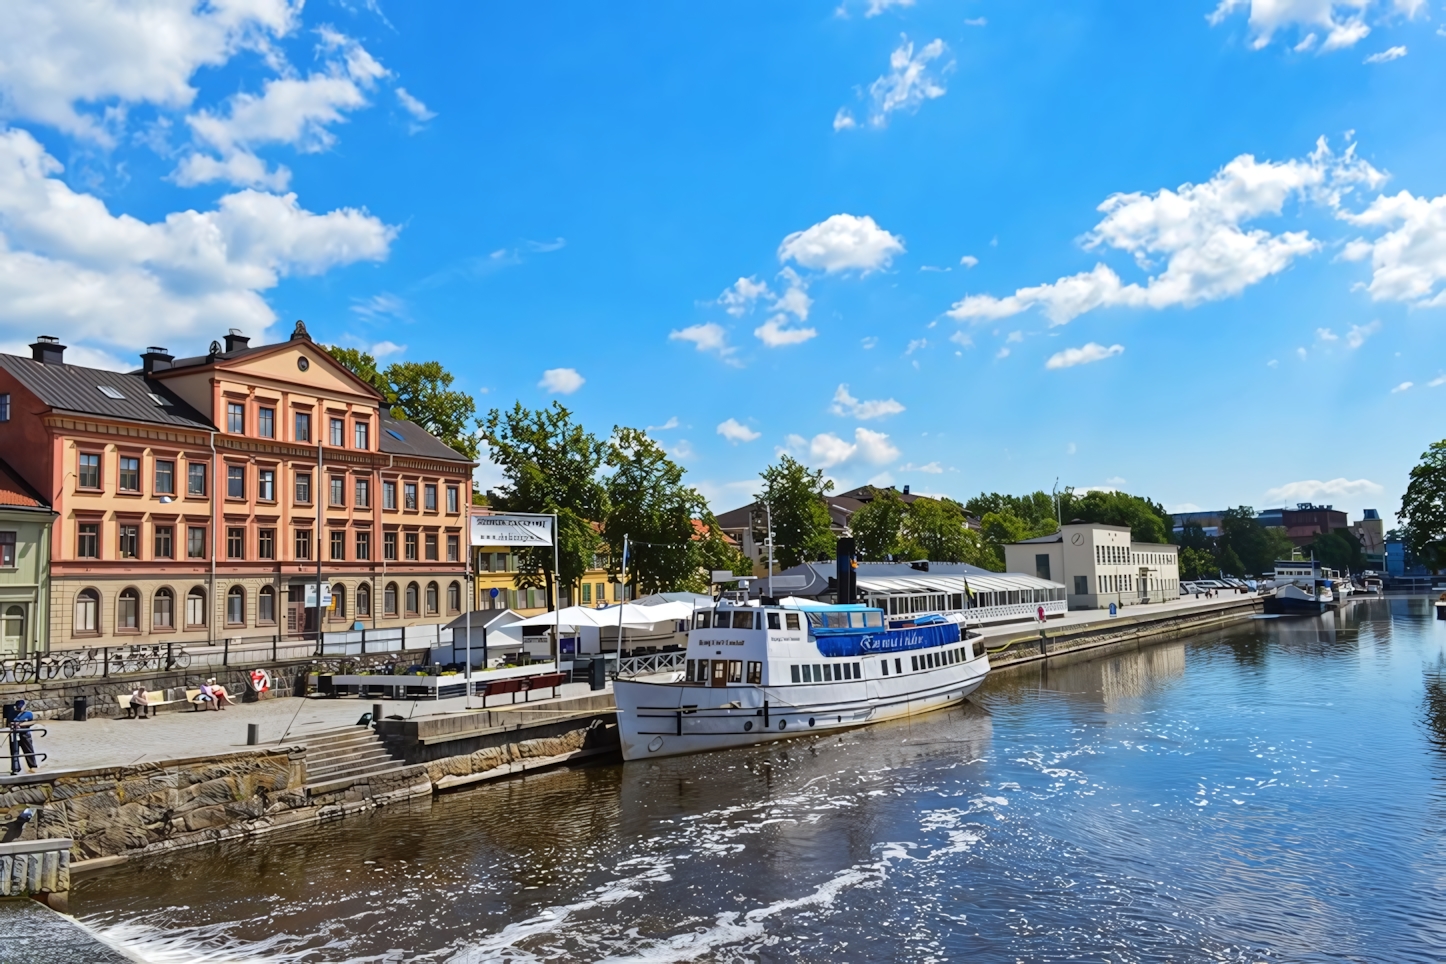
[290, 111]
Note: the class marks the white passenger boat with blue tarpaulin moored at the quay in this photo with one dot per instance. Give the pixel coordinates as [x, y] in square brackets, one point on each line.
[758, 673]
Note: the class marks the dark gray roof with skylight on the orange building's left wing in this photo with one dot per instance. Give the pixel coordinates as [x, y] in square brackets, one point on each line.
[72, 388]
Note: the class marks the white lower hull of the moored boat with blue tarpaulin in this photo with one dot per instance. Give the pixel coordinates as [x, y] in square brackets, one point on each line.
[669, 719]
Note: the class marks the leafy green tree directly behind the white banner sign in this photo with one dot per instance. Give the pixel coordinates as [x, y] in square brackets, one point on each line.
[550, 465]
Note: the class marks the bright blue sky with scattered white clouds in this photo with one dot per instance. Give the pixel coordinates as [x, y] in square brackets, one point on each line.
[1192, 251]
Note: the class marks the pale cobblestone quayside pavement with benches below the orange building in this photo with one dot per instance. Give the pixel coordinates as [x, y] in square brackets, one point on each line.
[179, 732]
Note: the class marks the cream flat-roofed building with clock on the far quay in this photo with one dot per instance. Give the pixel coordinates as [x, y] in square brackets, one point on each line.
[1100, 566]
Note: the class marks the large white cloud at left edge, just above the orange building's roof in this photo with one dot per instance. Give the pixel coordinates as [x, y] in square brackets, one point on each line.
[70, 267]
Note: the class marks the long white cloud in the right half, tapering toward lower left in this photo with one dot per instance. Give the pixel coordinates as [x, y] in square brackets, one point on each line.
[1199, 231]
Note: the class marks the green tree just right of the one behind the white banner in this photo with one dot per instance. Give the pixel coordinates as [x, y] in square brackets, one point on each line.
[649, 502]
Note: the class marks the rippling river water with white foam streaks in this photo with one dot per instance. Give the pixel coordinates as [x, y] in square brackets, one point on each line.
[1270, 793]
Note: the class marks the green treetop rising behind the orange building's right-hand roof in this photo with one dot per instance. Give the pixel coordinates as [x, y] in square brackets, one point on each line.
[419, 392]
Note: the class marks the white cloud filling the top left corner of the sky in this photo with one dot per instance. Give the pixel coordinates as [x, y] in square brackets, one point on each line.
[76, 64]
